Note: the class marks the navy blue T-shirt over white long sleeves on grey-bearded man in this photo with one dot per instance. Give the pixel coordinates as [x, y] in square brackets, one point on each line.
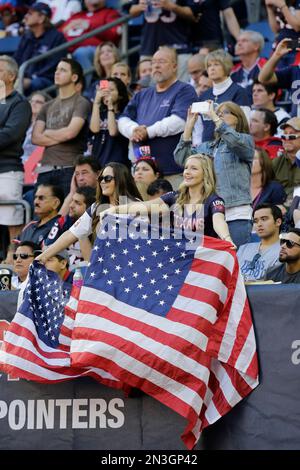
[149, 106]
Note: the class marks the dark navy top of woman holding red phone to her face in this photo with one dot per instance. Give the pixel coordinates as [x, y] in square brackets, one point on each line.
[108, 149]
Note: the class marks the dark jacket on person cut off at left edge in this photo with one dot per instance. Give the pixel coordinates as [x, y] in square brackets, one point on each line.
[15, 118]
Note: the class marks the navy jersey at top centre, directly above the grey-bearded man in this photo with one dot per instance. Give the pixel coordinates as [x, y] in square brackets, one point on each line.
[165, 28]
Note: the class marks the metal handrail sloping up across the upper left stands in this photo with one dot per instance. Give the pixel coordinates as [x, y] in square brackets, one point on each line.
[123, 21]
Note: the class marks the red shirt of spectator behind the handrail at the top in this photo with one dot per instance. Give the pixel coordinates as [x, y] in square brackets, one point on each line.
[86, 21]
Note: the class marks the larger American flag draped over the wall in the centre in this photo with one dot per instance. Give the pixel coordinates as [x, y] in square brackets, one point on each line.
[170, 321]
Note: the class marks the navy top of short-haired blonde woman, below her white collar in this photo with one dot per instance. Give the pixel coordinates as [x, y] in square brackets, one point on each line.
[234, 93]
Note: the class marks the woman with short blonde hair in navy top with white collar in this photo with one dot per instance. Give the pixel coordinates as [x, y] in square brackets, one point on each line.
[218, 66]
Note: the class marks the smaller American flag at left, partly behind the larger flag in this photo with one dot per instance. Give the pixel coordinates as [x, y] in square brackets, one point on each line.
[33, 348]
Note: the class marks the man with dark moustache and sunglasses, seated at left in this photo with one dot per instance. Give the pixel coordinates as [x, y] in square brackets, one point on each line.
[47, 202]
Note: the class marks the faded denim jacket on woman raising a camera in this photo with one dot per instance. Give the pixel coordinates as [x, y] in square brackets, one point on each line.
[233, 154]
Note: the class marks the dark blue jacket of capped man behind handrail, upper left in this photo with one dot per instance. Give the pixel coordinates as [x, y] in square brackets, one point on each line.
[30, 46]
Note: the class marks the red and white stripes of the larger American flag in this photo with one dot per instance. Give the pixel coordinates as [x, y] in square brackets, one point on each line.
[200, 360]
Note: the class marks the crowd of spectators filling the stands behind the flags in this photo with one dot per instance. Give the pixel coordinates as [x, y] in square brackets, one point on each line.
[105, 130]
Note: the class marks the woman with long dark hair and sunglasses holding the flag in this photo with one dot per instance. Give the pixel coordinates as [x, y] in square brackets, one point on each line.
[114, 182]
